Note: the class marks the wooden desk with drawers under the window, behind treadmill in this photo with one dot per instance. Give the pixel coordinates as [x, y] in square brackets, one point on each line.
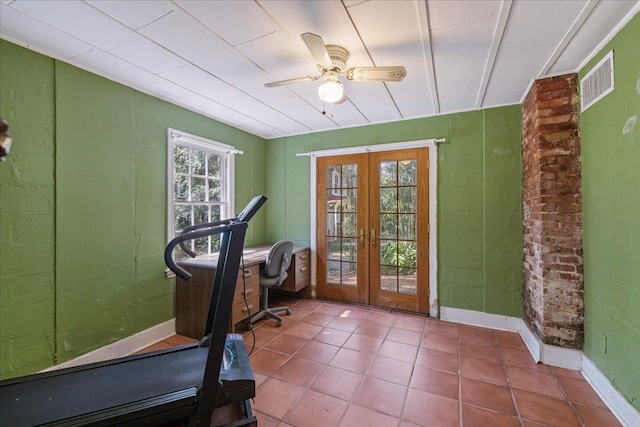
[192, 297]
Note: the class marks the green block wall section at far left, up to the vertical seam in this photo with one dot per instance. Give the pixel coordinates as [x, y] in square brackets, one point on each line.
[27, 213]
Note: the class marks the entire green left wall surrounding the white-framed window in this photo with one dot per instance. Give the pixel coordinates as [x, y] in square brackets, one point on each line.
[83, 208]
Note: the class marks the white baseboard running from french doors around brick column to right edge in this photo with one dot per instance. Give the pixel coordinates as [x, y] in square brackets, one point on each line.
[551, 355]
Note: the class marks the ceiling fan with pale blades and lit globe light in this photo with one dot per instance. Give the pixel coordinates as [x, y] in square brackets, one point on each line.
[332, 62]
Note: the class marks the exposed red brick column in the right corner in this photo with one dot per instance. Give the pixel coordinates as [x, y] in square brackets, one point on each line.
[552, 212]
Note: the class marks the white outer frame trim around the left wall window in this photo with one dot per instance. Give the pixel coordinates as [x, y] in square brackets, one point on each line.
[183, 139]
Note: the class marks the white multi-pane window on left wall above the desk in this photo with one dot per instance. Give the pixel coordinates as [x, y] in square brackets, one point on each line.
[200, 186]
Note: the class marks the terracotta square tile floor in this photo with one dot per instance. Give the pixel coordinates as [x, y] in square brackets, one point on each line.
[333, 364]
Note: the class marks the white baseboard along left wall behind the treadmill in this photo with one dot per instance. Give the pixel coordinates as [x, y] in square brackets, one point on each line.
[124, 347]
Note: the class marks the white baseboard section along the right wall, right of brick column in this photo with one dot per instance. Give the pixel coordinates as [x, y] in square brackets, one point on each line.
[623, 410]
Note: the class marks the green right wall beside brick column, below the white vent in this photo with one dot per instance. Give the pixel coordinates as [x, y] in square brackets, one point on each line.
[611, 209]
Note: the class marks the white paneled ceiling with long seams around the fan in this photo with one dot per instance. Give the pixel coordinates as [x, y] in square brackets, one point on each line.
[214, 57]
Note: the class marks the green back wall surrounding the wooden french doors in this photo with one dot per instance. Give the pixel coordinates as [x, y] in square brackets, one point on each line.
[479, 199]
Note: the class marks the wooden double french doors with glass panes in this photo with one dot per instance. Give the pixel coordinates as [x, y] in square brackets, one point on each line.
[372, 235]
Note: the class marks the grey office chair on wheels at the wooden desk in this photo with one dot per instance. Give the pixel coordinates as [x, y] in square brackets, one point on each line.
[273, 274]
